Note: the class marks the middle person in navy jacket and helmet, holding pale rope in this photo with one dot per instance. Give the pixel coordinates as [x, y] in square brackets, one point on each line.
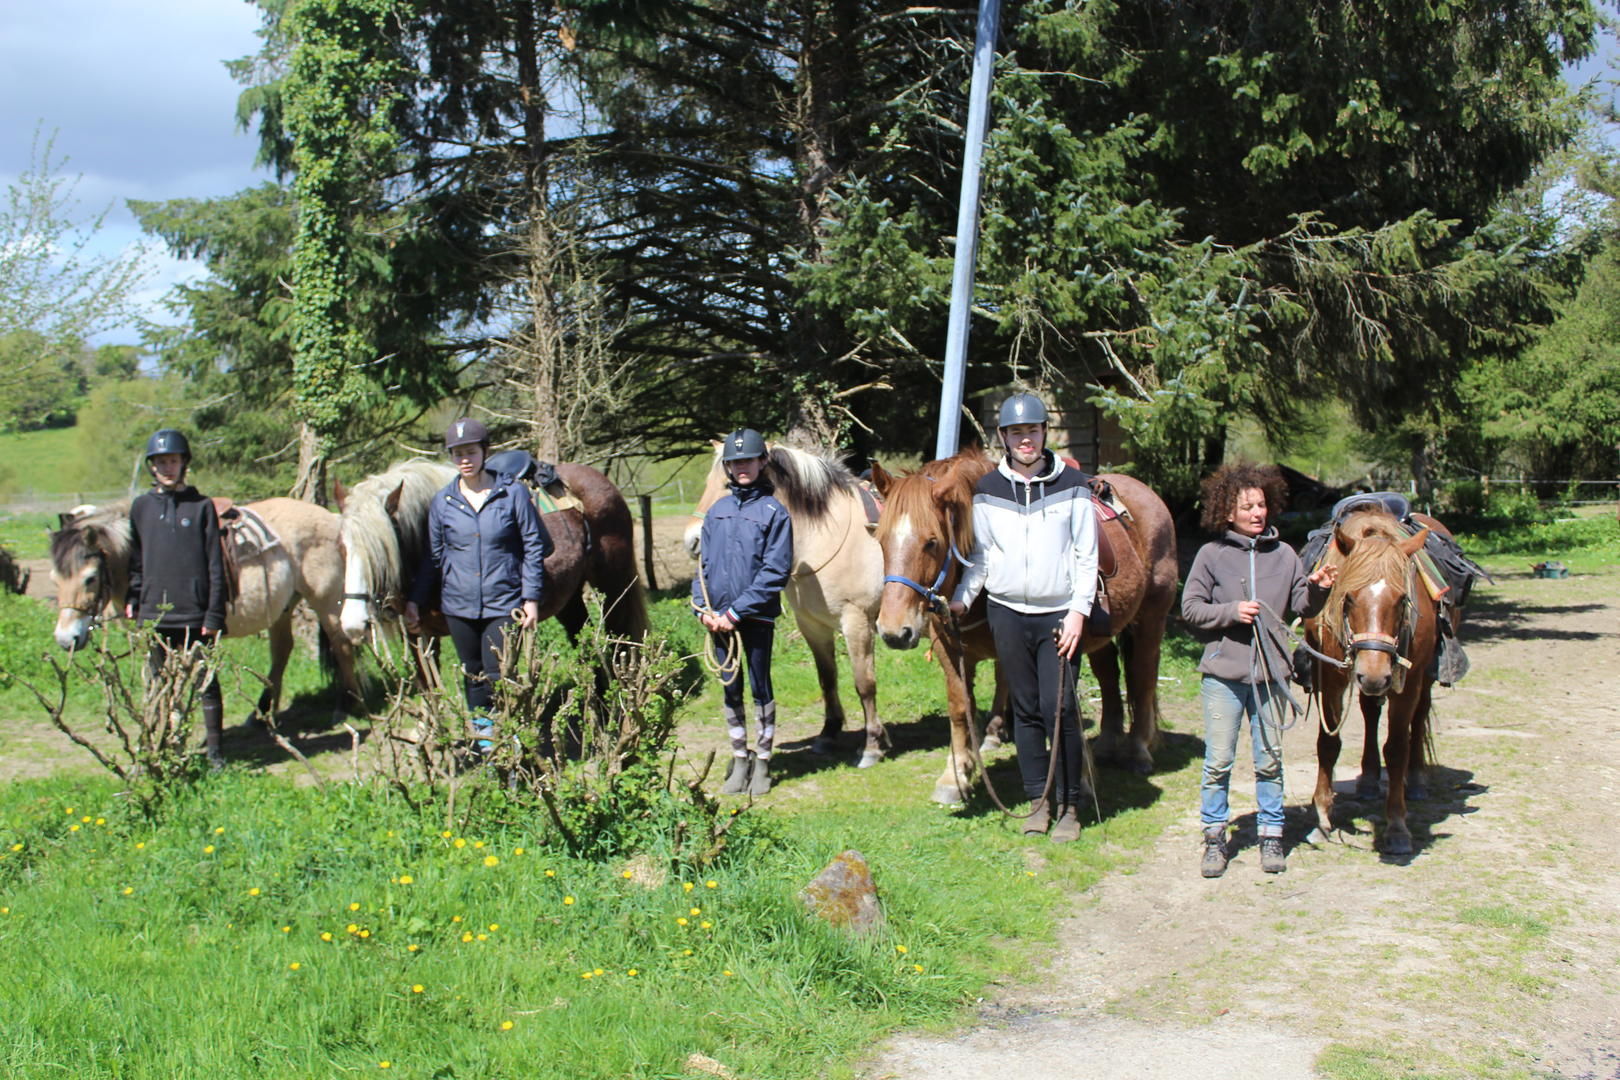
[744, 559]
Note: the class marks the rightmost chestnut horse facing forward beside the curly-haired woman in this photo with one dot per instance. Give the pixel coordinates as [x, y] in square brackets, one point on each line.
[1381, 631]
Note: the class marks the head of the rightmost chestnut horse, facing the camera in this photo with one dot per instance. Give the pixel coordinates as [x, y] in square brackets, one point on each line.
[1371, 606]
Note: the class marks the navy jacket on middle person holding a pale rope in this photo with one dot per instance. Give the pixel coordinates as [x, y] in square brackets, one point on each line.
[748, 555]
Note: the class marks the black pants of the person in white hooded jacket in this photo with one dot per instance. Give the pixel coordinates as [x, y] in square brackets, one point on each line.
[1034, 671]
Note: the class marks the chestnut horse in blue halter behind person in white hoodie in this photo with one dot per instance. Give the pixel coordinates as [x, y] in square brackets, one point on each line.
[926, 532]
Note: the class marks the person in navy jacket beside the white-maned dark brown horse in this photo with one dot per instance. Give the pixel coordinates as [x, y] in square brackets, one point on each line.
[487, 550]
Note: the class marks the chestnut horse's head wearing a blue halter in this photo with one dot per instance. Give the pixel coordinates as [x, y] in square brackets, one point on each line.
[926, 529]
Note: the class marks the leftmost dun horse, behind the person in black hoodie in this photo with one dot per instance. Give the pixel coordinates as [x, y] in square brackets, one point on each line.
[90, 564]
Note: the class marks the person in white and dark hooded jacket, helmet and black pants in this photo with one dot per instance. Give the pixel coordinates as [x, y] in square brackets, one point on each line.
[1036, 556]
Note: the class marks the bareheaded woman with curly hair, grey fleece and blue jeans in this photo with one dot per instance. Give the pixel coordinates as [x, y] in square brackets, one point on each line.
[1238, 592]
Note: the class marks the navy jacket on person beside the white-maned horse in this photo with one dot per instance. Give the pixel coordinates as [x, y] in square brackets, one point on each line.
[484, 563]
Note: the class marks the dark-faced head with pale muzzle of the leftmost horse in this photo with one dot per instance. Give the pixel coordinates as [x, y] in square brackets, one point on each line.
[90, 566]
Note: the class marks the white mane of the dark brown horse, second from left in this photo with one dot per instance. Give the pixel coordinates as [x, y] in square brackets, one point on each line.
[391, 550]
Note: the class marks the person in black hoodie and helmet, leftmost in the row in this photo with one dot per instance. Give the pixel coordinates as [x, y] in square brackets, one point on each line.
[177, 571]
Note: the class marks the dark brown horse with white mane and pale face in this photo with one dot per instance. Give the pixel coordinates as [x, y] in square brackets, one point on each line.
[385, 530]
